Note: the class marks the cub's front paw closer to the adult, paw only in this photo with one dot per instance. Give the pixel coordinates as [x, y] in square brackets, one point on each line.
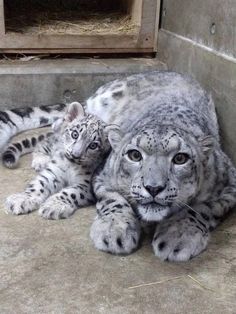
[55, 208]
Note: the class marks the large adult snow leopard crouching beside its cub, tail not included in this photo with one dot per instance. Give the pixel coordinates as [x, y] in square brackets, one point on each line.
[166, 166]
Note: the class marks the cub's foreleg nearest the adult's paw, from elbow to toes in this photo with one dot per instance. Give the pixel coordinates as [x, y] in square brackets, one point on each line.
[64, 203]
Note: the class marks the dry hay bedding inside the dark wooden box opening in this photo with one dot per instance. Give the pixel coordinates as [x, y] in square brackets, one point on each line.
[69, 22]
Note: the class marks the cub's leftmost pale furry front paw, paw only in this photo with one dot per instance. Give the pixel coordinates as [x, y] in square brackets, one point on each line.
[20, 203]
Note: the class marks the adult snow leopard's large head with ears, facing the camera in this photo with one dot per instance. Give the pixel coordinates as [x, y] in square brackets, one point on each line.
[158, 170]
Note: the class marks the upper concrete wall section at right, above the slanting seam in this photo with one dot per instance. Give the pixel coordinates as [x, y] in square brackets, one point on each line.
[208, 22]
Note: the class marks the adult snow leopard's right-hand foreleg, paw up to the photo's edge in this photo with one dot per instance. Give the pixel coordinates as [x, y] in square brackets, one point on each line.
[186, 234]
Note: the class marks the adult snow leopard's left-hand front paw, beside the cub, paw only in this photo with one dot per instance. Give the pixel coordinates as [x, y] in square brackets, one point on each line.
[115, 236]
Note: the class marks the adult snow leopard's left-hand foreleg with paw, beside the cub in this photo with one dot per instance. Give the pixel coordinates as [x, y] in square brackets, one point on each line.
[116, 228]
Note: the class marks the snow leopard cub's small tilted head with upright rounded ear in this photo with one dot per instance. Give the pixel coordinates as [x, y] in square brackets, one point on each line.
[83, 136]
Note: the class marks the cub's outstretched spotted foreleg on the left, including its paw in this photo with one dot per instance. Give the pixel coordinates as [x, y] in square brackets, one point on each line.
[49, 181]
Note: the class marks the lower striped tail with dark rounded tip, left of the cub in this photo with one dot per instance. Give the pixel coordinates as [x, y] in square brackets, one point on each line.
[14, 151]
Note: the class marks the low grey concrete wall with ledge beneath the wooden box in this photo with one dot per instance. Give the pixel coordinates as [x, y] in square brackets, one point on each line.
[51, 81]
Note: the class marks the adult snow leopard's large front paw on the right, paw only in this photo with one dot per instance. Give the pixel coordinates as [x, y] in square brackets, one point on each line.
[179, 240]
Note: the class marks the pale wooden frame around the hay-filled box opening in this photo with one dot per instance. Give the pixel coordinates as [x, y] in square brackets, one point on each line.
[144, 12]
